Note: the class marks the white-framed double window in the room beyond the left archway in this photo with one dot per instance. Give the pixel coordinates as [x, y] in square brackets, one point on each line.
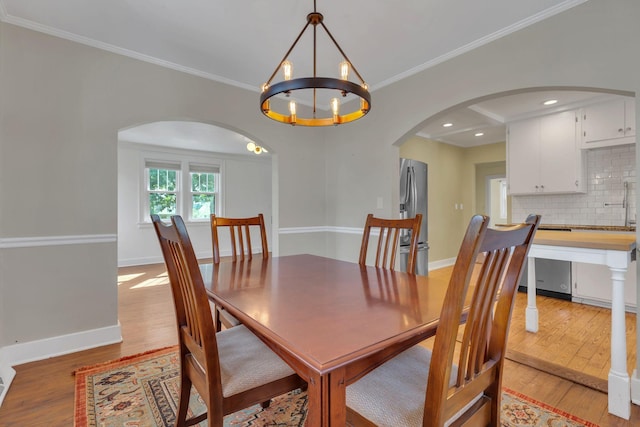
[181, 188]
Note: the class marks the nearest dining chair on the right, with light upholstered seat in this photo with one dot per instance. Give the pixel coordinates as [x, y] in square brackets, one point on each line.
[420, 387]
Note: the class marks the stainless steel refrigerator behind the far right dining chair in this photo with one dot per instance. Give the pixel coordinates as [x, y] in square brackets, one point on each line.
[413, 200]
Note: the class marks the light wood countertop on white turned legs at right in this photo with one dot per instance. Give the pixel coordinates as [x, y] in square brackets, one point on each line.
[577, 239]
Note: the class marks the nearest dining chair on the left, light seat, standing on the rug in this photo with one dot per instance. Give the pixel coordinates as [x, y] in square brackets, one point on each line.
[231, 369]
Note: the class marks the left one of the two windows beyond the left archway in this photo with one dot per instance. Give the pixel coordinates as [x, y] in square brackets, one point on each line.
[163, 181]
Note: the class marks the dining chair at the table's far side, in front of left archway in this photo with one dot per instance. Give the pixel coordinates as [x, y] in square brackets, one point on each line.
[241, 248]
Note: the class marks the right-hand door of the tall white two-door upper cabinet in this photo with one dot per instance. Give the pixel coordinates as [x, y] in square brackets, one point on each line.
[559, 153]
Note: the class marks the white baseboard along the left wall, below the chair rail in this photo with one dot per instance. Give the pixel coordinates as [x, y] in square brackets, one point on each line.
[32, 351]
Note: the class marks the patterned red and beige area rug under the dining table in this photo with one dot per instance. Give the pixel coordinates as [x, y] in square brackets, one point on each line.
[142, 391]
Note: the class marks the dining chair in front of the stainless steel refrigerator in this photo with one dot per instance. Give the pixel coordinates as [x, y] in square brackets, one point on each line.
[391, 232]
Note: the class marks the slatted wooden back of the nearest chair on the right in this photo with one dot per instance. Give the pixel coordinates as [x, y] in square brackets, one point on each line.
[488, 267]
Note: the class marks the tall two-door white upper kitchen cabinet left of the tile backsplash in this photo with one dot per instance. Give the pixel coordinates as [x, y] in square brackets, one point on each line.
[543, 156]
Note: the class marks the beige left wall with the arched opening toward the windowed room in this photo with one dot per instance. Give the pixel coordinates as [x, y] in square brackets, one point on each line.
[61, 107]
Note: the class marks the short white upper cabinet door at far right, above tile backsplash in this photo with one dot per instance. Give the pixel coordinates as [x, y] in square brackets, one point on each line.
[603, 121]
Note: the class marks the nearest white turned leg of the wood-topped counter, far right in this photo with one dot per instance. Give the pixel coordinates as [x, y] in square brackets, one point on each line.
[619, 383]
